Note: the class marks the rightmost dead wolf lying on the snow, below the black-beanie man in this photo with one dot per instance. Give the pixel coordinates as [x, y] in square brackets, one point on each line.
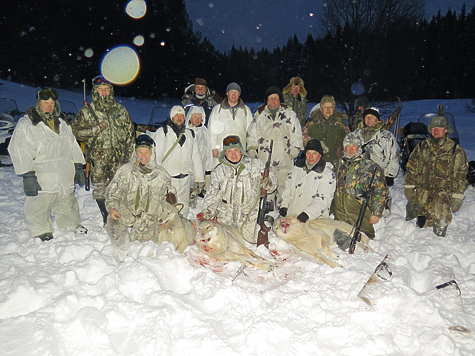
[317, 236]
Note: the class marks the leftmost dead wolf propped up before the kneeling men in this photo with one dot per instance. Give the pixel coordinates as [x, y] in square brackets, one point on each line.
[174, 228]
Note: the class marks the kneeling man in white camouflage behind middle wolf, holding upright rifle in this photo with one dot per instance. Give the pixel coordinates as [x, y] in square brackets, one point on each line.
[235, 187]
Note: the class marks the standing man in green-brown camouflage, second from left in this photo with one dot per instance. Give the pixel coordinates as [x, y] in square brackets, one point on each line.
[107, 130]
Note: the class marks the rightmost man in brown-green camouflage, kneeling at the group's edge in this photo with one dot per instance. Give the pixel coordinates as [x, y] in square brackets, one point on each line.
[435, 179]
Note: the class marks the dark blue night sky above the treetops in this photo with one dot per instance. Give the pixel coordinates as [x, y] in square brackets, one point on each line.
[270, 23]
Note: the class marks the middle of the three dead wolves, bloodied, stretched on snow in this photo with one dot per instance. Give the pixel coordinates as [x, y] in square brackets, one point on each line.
[225, 243]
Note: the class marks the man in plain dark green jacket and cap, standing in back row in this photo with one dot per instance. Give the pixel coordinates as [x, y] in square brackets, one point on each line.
[329, 127]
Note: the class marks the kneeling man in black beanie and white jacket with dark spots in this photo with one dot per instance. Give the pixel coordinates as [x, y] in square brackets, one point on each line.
[310, 185]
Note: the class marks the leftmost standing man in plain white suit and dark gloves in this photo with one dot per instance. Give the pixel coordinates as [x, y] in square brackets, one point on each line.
[46, 154]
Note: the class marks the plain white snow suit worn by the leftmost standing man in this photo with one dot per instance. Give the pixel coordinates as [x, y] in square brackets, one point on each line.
[36, 147]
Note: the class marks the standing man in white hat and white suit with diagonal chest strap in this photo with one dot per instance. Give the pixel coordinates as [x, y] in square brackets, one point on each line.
[178, 153]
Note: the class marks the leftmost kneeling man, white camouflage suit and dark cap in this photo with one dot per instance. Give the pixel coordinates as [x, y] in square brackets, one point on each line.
[135, 194]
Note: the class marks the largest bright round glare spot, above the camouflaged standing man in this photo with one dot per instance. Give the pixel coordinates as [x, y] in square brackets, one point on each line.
[121, 65]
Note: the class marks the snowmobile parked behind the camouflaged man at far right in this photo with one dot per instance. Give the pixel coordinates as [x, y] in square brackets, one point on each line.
[415, 132]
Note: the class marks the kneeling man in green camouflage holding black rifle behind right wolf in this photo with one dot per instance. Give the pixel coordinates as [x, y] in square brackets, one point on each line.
[355, 173]
